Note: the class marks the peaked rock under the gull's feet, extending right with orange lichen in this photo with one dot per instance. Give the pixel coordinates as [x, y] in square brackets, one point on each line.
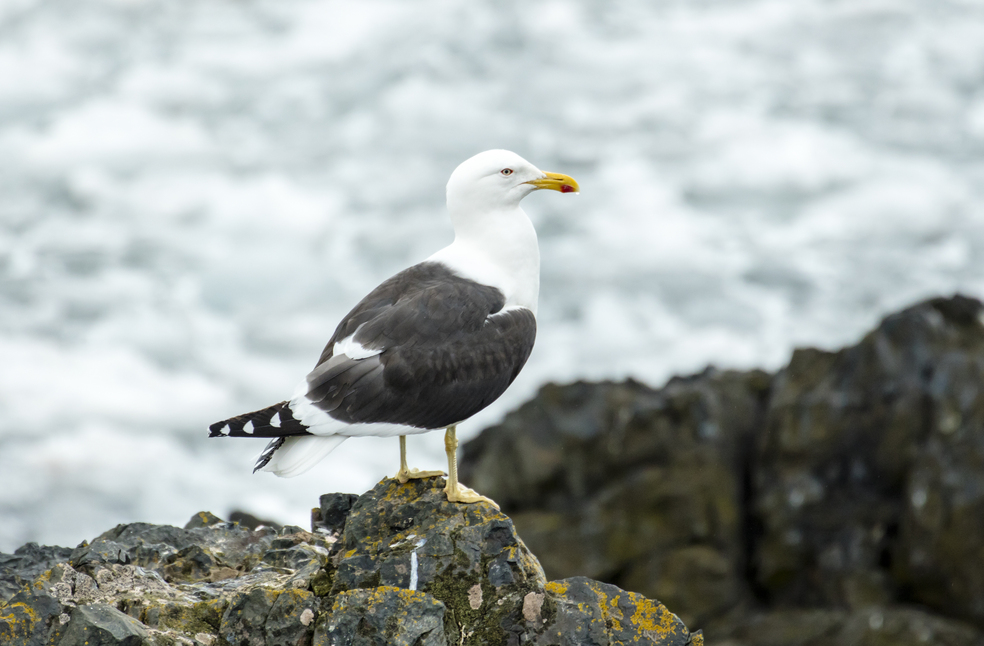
[470, 559]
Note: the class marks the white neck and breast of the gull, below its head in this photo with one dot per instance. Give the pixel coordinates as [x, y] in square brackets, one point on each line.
[496, 248]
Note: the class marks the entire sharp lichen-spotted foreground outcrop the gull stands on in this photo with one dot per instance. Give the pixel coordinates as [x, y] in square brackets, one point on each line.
[397, 565]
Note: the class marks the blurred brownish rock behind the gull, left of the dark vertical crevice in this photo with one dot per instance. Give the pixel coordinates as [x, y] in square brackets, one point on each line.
[639, 487]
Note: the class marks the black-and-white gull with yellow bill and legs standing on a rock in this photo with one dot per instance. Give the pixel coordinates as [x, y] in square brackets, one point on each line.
[429, 347]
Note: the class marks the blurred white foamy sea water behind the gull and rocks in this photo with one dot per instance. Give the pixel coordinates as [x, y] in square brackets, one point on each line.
[192, 192]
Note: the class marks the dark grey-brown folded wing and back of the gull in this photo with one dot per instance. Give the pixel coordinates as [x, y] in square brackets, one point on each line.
[447, 350]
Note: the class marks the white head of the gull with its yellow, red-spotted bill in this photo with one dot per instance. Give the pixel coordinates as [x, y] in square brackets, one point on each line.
[499, 179]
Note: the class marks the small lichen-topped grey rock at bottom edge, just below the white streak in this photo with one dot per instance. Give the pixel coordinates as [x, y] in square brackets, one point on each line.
[383, 616]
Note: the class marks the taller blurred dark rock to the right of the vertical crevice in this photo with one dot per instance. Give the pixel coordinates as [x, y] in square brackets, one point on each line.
[864, 453]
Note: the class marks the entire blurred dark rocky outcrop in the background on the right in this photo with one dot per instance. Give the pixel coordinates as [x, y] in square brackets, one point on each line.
[840, 500]
